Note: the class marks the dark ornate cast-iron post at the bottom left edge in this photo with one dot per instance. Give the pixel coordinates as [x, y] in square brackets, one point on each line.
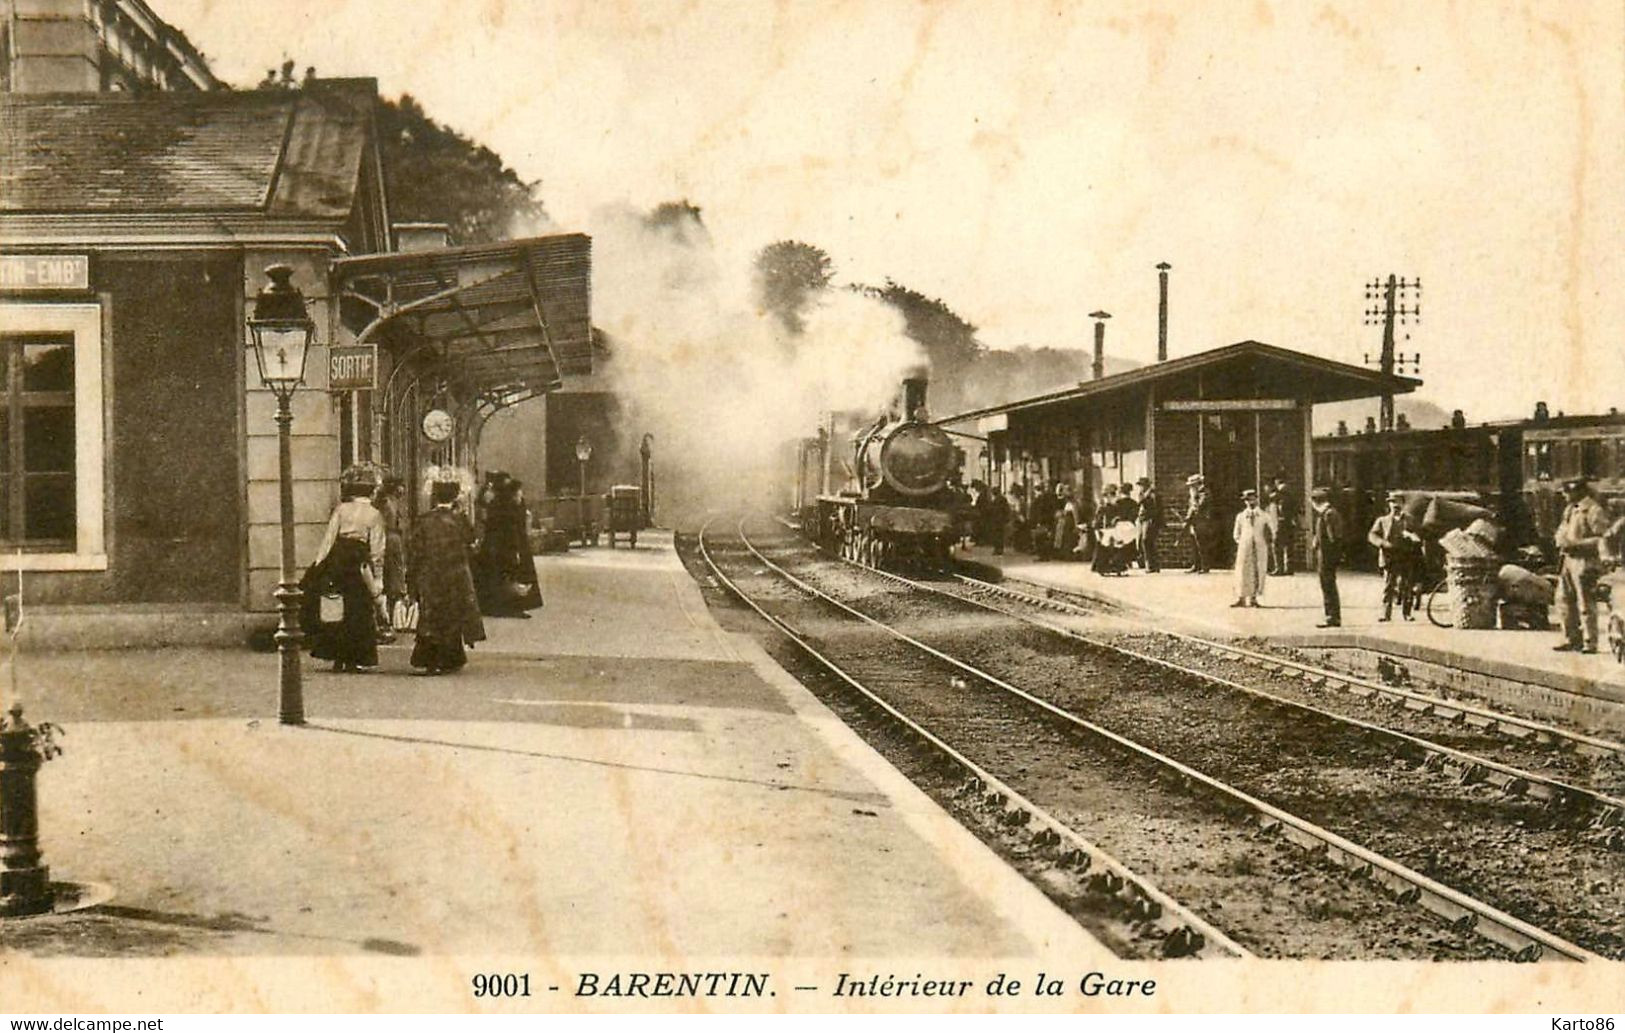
[25, 881]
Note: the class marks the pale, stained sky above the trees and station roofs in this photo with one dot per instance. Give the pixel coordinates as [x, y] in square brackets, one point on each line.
[1031, 163]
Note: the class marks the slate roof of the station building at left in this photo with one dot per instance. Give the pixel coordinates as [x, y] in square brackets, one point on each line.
[292, 153]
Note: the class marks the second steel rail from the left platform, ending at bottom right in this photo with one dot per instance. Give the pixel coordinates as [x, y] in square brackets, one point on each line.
[1530, 943]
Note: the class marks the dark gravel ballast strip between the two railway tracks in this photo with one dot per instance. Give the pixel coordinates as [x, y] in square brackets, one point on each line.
[1545, 858]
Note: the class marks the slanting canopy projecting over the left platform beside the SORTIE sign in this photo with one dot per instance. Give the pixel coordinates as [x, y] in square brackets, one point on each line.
[501, 321]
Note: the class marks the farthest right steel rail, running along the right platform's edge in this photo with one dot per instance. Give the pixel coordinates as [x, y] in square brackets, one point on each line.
[1510, 725]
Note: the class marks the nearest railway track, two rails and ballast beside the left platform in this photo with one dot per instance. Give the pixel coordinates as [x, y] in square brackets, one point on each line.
[1203, 837]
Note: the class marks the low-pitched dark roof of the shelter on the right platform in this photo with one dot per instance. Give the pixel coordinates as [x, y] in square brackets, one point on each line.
[1317, 379]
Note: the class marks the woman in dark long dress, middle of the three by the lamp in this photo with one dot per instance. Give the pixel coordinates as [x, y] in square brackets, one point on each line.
[438, 573]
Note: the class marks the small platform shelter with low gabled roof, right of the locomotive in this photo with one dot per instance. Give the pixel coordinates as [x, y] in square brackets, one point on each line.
[1237, 415]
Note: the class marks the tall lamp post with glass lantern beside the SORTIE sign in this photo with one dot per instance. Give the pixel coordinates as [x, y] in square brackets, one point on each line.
[284, 334]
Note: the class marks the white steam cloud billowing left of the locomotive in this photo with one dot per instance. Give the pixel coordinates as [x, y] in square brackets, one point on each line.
[721, 384]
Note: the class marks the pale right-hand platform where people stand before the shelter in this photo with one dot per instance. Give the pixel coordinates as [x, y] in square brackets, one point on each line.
[1510, 667]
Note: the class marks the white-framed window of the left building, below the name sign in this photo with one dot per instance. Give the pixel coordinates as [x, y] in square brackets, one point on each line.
[51, 446]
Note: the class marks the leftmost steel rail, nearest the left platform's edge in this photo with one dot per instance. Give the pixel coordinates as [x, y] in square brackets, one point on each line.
[1182, 931]
